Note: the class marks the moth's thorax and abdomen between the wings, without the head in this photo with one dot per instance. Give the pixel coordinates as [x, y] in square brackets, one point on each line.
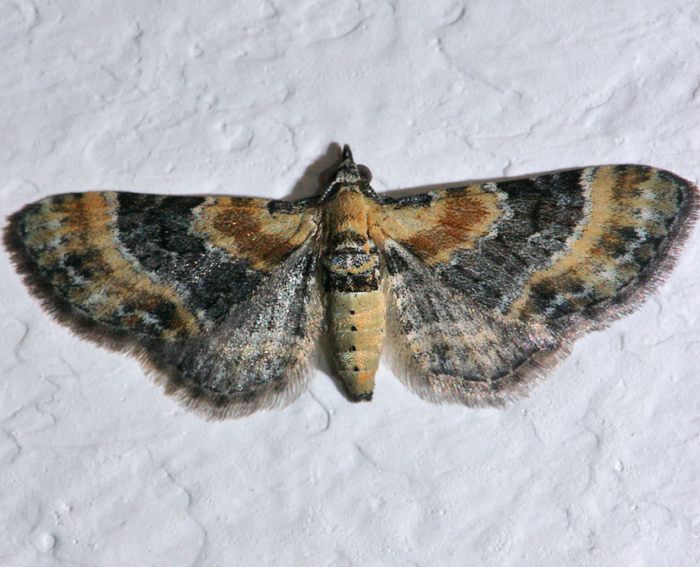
[352, 281]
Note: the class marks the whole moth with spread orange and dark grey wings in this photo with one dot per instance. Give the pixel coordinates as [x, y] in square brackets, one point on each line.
[480, 288]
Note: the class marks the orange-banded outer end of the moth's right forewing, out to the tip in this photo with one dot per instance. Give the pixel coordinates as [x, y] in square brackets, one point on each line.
[636, 219]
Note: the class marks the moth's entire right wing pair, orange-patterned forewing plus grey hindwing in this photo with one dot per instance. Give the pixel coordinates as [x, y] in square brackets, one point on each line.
[489, 283]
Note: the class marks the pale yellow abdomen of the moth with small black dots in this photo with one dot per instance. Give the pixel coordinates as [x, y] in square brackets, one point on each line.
[357, 322]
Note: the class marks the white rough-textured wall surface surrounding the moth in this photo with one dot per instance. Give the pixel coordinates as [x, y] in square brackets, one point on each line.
[599, 467]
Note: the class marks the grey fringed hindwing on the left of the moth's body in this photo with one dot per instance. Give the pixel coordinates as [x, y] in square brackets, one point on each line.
[259, 354]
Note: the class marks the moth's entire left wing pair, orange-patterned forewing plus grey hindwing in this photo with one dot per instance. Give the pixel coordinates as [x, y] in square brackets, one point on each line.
[180, 281]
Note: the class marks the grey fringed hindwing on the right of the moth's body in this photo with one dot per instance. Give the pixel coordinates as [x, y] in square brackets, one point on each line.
[449, 346]
